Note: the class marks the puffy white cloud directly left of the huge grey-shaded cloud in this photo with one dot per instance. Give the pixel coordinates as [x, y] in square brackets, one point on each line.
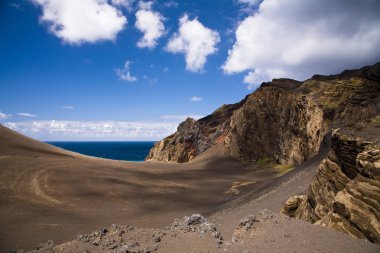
[195, 41]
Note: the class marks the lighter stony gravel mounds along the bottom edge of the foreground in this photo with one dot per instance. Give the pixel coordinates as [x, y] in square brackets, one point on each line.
[264, 232]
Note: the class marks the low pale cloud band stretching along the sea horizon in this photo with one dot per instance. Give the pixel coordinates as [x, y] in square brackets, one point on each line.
[94, 130]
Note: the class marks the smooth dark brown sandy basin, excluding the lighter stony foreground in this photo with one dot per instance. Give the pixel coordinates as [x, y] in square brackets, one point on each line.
[47, 193]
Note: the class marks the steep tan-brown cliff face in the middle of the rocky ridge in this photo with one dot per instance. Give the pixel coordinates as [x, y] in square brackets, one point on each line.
[279, 123]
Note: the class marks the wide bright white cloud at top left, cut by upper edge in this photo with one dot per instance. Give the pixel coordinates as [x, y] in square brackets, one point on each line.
[77, 22]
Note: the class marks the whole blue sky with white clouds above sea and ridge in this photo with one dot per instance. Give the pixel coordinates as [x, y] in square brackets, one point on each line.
[133, 70]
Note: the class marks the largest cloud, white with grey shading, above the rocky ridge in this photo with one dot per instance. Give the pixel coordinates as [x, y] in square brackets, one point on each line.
[296, 39]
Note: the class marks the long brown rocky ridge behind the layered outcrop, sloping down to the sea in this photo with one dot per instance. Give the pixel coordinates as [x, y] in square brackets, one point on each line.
[284, 120]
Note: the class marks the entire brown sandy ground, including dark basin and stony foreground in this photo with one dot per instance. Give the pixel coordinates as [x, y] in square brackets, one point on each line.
[50, 194]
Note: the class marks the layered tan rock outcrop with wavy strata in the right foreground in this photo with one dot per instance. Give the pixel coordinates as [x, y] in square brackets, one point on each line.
[345, 193]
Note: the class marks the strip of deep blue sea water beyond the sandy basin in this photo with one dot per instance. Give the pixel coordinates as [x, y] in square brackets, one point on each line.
[134, 151]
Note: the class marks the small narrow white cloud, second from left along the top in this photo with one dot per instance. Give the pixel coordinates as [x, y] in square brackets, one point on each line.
[151, 24]
